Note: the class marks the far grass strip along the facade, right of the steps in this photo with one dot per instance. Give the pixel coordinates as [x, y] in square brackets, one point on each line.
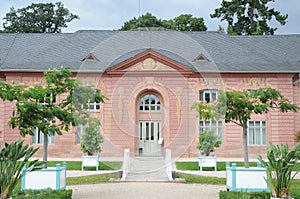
[221, 166]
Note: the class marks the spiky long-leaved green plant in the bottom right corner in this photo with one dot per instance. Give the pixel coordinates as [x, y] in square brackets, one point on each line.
[280, 163]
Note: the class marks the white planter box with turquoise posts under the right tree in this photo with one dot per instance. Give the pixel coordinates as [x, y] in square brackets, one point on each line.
[246, 179]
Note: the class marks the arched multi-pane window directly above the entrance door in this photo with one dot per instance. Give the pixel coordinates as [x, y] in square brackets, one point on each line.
[150, 102]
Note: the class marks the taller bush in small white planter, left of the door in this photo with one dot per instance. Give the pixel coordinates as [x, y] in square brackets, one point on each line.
[90, 144]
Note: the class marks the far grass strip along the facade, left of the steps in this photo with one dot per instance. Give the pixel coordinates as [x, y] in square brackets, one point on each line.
[76, 165]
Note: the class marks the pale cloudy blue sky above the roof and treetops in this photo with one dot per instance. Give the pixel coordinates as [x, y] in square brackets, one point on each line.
[111, 14]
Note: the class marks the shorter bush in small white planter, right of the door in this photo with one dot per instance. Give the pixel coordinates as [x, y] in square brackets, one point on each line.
[208, 141]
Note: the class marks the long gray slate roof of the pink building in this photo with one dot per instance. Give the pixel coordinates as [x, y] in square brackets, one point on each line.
[39, 52]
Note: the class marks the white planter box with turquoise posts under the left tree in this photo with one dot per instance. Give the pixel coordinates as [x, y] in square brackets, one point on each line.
[52, 177]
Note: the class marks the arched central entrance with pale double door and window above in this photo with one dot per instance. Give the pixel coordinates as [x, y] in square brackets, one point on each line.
[150, 118]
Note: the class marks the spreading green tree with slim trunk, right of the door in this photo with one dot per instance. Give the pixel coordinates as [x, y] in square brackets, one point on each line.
[239, 106]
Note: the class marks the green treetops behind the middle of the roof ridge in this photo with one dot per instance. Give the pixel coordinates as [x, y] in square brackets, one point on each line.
[184, 22]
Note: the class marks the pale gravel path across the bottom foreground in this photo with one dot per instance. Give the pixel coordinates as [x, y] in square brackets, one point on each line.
[146, 190]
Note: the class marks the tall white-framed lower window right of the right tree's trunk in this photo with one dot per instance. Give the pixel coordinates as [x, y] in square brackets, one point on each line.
[257, 133]
